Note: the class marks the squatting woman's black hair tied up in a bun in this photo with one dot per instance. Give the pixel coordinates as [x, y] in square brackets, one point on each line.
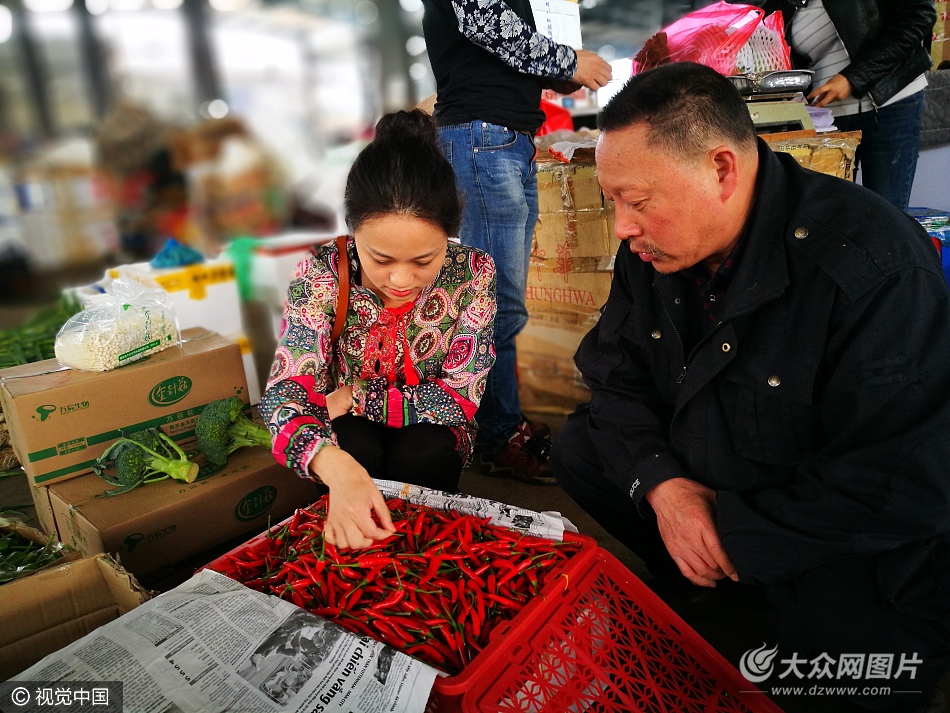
[403, 171]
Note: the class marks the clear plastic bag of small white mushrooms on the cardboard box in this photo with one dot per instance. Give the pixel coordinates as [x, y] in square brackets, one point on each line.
[133, 319]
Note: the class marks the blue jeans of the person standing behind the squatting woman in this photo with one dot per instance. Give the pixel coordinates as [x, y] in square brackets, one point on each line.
[496, 176]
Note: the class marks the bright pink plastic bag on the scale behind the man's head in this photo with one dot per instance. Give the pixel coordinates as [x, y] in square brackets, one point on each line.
[712, 36]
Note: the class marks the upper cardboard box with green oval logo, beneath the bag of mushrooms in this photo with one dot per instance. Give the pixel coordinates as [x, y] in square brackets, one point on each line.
[61, 420]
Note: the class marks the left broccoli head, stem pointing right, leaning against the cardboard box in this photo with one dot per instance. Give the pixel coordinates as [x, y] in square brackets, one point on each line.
[144, 457]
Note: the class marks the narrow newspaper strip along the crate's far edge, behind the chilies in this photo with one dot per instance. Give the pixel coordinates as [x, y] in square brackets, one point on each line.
[540, 524]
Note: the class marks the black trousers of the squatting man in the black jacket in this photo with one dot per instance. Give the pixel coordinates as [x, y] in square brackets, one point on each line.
[861, 605]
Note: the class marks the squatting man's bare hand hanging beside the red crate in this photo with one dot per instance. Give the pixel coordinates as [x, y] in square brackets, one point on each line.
[684, 514]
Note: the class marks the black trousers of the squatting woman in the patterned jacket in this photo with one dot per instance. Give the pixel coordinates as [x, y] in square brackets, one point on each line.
[421, 454]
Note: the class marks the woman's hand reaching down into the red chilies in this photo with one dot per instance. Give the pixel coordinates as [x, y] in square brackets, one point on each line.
[353, 500]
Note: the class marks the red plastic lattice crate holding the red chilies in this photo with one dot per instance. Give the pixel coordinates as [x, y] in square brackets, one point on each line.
[595, 639]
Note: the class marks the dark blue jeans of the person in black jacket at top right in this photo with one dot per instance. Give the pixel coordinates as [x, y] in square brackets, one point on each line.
[887, 154]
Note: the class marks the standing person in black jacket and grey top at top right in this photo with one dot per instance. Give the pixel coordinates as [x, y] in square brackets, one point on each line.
[869, 62]
